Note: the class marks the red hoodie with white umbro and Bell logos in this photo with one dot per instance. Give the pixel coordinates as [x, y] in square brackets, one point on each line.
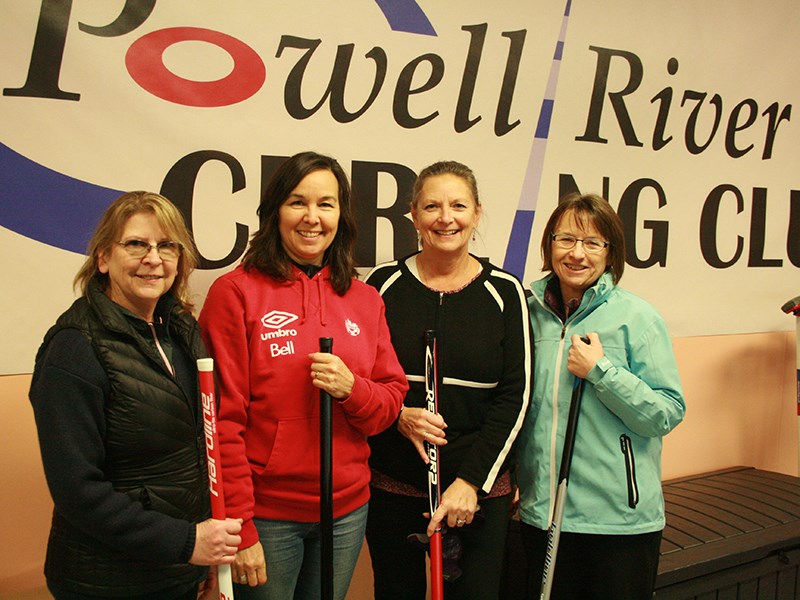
[260, 332]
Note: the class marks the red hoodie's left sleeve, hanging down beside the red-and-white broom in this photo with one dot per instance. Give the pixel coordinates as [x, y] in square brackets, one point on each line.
[224, 332]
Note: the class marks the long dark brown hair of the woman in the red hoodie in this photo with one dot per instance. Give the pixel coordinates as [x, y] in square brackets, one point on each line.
[266, 252]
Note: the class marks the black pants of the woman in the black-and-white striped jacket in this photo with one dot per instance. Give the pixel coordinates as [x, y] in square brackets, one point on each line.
[399, 567]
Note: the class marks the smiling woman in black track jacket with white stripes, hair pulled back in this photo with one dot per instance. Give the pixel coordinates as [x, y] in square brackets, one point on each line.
[483, 337]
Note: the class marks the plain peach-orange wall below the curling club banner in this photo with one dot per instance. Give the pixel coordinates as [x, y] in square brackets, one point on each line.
[740, 394]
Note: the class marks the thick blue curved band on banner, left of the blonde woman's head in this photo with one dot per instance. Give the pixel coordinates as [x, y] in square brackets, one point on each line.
[48, 206]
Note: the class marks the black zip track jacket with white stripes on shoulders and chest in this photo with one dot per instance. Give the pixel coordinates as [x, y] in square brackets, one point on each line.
[485, 366]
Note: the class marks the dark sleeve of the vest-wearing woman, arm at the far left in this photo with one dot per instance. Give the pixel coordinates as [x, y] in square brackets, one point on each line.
[68, 395]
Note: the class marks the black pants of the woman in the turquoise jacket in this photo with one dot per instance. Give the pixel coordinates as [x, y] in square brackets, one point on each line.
[595, 567]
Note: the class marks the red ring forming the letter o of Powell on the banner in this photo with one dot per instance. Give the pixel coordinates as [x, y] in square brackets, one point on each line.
[145, 64]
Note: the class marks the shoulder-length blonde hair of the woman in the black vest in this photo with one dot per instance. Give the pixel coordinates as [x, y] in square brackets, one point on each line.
[110, 228]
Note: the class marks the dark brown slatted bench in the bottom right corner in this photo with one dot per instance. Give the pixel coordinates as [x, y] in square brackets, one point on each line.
[731, 534]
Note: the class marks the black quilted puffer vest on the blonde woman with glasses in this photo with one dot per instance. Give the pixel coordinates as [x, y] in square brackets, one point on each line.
[154, 448]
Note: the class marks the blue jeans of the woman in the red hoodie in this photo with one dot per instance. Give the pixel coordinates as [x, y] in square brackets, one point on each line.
[292, 552]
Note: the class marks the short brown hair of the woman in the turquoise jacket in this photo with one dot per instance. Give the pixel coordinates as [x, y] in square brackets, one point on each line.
[589, 209]
